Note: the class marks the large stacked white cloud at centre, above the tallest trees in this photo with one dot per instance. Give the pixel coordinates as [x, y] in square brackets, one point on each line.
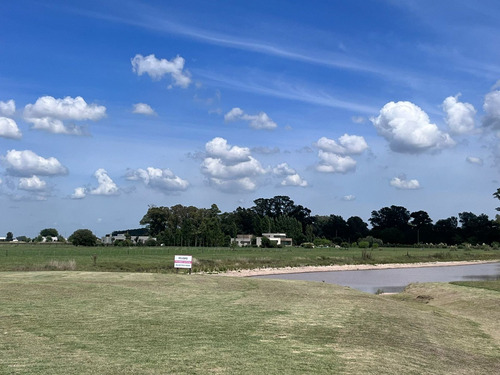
[230, 168]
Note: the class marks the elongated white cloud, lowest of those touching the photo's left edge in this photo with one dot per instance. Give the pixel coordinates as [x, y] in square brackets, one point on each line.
[27, 163]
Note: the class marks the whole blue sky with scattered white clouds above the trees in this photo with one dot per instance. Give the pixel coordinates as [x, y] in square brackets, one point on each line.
[109, 107]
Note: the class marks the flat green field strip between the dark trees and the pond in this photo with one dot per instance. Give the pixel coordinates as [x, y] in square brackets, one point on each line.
[39, 257]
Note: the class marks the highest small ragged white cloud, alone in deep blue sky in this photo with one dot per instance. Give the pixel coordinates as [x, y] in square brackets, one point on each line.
[157, 68]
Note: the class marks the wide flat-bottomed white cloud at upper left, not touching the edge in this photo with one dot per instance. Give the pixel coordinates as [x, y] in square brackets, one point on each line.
[49, 114]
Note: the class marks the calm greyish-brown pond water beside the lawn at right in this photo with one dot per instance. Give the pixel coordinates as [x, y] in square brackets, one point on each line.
[395, 280]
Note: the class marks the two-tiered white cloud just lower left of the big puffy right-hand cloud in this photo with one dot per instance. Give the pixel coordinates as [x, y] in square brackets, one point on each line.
[335, 156]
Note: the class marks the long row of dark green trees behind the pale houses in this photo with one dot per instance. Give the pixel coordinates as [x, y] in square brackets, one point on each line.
[191, 226]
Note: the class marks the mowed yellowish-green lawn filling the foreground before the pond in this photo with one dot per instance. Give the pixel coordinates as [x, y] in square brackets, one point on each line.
[140, 323]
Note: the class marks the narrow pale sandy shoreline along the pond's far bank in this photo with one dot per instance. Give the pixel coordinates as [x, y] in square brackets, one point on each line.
[348, 267]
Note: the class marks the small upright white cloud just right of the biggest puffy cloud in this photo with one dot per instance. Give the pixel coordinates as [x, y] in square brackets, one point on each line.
[459, 116]
